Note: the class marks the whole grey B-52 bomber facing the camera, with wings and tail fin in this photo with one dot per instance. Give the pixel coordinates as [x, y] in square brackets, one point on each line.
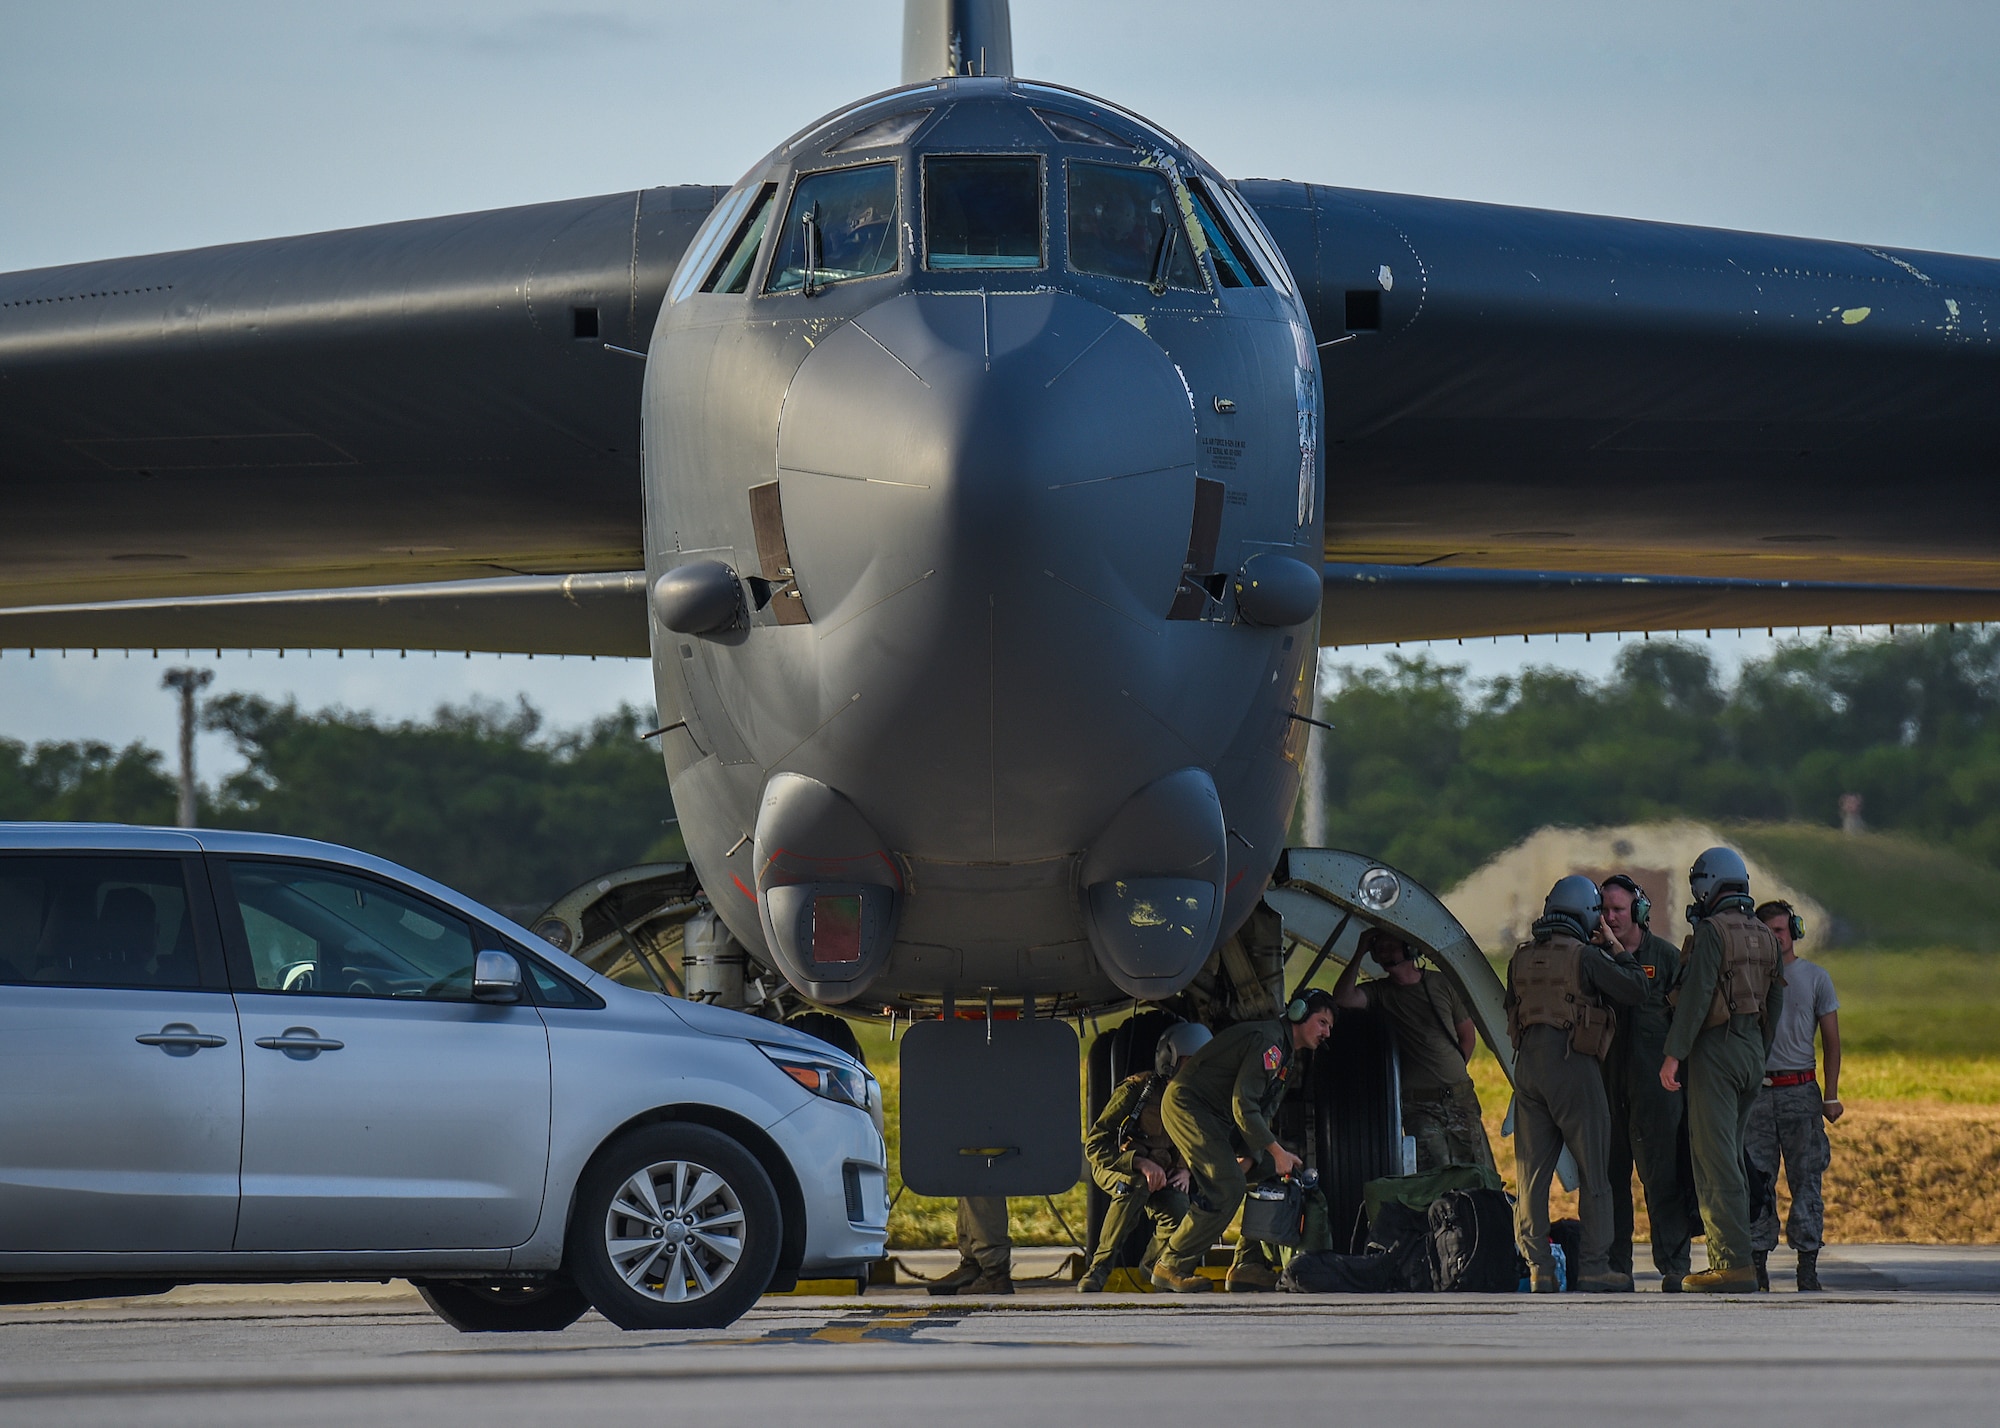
[981, 475]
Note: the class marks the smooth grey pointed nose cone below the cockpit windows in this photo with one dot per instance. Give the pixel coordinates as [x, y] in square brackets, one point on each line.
[989, 503]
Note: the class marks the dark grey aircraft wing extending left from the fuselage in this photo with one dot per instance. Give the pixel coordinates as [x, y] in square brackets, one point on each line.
[421, 403]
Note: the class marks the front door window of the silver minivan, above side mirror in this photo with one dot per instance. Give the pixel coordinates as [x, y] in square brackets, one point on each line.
[325, 933]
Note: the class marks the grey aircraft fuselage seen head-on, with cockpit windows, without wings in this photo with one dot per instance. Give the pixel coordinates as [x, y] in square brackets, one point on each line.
[1011, 463]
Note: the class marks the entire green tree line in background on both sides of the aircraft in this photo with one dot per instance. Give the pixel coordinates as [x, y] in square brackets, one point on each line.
[1427, 767]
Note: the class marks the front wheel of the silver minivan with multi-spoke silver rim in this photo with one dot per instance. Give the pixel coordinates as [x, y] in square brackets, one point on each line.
[719, 1239]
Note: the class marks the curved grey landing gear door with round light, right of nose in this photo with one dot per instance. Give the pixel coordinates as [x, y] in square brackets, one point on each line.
[1315, 889]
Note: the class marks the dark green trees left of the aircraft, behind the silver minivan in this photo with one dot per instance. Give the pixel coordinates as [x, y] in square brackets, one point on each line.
[477, 797]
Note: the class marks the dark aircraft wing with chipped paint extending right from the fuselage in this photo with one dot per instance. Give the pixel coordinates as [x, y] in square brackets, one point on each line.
[1781, 427]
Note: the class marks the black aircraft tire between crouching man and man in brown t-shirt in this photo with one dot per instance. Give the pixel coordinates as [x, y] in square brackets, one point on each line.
[1359, 1121]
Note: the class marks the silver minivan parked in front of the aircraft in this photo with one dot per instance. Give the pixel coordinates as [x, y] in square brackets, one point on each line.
[241, 1057]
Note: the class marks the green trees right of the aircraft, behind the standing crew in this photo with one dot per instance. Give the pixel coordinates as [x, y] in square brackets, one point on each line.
[1437, 771]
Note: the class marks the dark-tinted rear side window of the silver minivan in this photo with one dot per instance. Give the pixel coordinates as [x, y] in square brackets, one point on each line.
[89, 921]
